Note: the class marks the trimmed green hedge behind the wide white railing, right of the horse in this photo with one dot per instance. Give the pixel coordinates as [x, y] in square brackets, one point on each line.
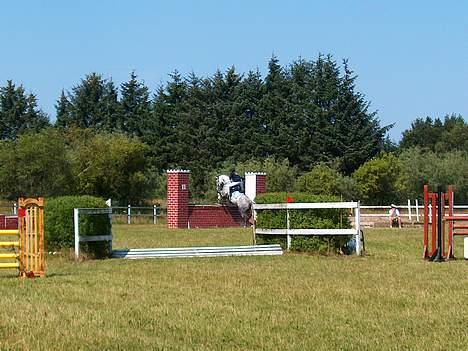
[303, 219]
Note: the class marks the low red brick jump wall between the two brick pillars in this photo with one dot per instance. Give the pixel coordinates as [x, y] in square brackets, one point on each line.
[209, 216]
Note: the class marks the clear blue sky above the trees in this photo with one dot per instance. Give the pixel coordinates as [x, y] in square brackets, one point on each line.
[411, 56]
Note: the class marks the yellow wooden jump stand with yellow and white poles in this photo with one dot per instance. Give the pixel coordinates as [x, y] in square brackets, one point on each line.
[25, 248]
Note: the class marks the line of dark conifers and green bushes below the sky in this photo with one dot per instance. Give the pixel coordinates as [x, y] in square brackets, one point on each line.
[116, 141]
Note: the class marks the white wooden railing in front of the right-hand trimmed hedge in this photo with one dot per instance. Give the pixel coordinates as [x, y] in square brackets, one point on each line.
[356, 231]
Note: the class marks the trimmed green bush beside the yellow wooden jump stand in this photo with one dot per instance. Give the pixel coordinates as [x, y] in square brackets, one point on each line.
[59, 230]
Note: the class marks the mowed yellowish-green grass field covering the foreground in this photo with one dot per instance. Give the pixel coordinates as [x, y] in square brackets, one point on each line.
[390, 299]
